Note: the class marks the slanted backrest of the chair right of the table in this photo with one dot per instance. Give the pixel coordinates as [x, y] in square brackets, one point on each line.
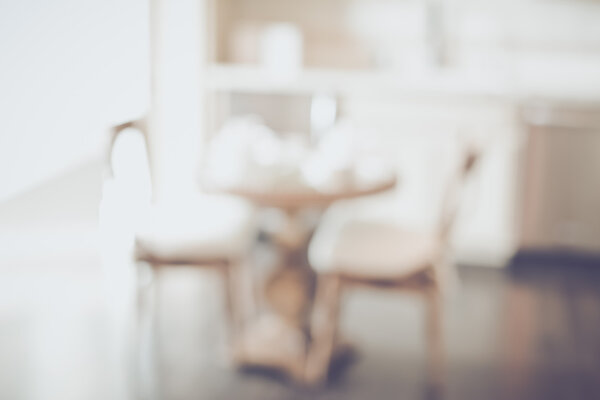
[453, 191]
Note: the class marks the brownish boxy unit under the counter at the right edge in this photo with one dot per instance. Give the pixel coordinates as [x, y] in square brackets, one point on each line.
[558, 211]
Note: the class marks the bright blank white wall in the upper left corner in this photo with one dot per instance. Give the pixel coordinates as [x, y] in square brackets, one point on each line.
[68, 69]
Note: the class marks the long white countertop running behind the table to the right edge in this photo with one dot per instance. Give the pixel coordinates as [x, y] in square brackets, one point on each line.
[557, 79]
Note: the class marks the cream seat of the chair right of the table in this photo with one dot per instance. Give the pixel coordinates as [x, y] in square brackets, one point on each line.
[371, 250]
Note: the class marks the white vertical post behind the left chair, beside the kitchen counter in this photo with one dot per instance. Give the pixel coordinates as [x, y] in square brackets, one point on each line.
[176, 118]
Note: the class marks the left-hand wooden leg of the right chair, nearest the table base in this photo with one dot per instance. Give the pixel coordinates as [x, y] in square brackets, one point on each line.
[324, 329]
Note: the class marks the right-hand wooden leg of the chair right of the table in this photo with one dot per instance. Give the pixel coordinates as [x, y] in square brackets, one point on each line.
[435, 340]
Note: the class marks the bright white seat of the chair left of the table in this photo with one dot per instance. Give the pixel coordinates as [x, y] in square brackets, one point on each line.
[206, 228]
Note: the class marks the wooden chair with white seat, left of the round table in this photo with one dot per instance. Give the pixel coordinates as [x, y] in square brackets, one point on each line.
[208, 231]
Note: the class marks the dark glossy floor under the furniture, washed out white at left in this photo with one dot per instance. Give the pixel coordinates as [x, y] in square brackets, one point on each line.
[530, 331]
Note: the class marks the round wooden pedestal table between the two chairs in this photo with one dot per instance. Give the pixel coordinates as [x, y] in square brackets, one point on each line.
[280, 337]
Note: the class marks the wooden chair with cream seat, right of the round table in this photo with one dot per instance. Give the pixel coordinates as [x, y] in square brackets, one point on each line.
[382, 255]
